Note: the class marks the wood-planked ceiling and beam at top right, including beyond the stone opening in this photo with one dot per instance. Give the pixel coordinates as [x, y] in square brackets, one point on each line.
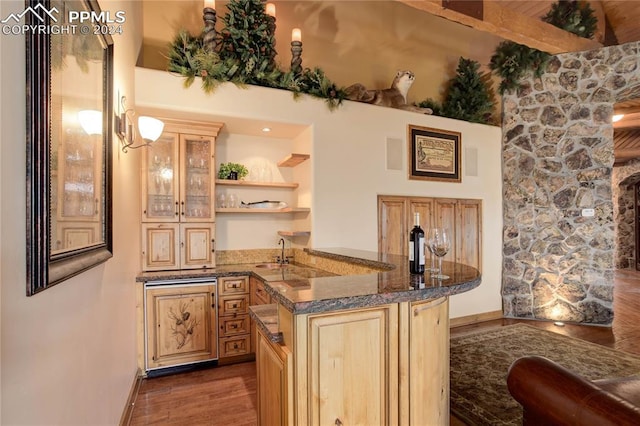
[520, 21]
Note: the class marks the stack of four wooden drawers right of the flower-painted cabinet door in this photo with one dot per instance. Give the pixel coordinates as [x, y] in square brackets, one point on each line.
[234, 325]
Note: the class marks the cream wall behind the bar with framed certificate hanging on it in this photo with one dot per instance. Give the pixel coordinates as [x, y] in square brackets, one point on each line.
[348, 164]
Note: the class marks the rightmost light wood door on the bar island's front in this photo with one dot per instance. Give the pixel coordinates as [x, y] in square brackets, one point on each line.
[428, 369]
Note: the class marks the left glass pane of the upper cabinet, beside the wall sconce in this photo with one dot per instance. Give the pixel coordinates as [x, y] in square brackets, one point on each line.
[161, 194]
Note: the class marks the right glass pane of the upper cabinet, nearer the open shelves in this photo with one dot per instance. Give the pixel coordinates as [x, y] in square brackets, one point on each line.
[198, 175]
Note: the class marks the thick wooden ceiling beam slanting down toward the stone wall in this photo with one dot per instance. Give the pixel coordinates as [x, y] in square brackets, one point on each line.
[510, 25]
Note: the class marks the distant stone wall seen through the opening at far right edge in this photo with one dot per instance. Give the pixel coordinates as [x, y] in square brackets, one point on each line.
[624, 179]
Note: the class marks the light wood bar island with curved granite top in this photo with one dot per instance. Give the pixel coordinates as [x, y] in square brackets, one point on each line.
[369, 349]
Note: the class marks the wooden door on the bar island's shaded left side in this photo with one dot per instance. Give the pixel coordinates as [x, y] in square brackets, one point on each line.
[274, 383]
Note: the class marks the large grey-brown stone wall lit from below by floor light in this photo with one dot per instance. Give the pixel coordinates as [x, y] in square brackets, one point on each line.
[558, 160]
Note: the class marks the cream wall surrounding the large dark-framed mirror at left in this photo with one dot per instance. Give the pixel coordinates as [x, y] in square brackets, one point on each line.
[68, 353]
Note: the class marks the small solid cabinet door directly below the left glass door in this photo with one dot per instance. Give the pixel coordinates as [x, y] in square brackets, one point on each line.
[160, 246]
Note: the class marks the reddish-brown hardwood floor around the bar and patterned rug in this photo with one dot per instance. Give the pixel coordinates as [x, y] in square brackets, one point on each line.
[227, 395]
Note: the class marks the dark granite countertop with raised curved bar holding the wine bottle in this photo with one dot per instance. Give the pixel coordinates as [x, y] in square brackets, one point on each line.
[303, 289]
